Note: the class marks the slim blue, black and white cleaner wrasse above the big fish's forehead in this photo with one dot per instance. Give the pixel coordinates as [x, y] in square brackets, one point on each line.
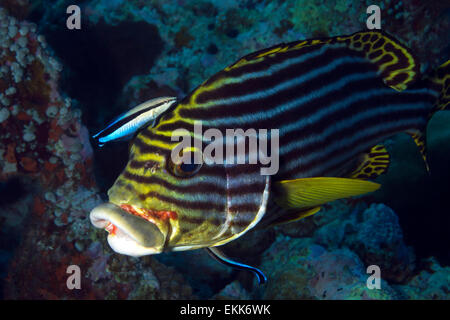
[127, 124]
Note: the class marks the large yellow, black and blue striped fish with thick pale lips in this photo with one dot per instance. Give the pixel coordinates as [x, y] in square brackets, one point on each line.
[333, 101]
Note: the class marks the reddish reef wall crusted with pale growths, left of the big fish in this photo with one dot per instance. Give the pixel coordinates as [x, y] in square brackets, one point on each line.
[45, 146]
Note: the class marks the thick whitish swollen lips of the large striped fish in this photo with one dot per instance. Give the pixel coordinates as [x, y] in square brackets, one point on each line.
[128, 234]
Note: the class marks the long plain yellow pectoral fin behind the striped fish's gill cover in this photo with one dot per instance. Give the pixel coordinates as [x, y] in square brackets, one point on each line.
[313, 192]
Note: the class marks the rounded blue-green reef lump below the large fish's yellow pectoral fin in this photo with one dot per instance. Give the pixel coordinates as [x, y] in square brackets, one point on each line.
[300, 269]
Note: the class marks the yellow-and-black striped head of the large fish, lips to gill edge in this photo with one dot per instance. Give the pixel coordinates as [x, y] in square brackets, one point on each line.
[164, 203]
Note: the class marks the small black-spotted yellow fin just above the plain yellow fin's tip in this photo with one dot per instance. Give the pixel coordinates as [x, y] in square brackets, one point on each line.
[373, 163]
